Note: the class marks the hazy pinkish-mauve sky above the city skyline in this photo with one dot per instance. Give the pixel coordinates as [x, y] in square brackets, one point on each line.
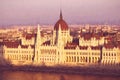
[47, 11]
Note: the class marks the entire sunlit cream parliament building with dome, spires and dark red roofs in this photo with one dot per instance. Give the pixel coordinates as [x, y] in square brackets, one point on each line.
[61, 49]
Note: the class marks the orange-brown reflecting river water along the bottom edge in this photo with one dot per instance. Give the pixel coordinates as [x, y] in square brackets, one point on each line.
[20, 75]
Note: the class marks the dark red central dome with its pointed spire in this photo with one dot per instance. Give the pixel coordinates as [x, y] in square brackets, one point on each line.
[61, 22]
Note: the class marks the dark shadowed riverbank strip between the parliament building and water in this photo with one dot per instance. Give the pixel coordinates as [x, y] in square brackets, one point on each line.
[65, 70]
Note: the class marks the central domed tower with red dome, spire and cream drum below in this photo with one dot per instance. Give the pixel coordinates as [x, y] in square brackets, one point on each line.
[65, 32]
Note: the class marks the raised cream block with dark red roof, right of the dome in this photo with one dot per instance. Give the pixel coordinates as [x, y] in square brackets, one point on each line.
[91, 39]
